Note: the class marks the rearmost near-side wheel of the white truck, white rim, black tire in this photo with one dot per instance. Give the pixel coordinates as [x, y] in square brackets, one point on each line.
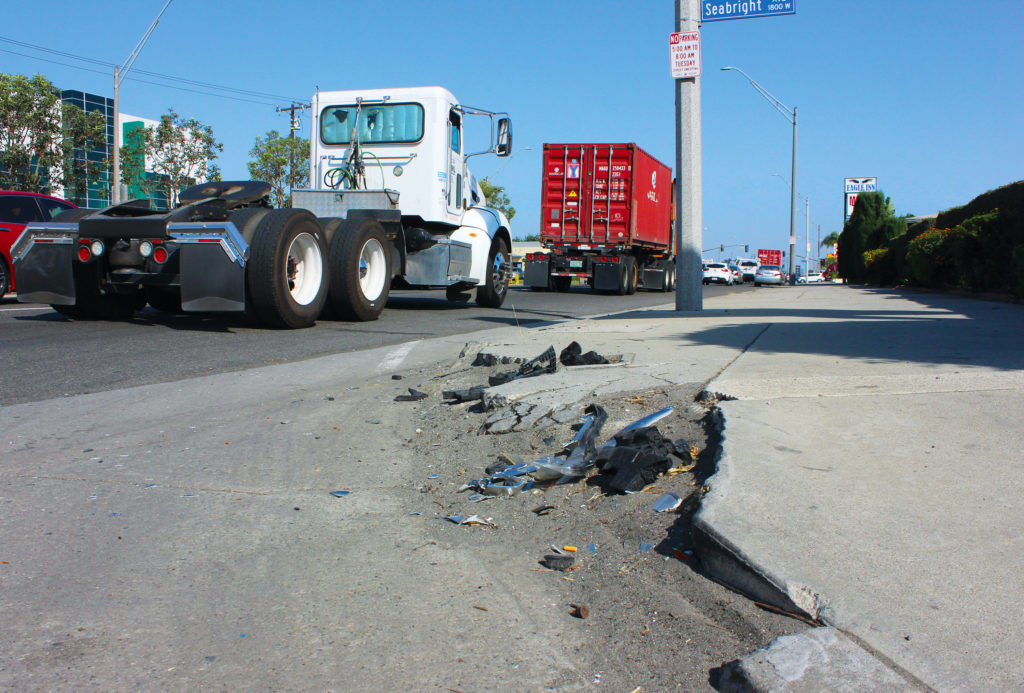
[287, 278]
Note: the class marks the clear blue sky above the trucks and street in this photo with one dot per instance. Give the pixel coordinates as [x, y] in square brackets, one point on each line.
[927, 97]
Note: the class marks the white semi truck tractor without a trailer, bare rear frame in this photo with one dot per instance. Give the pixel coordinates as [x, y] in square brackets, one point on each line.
[392, 203]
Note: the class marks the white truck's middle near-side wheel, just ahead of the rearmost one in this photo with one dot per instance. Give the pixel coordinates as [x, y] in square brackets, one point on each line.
[361, 265]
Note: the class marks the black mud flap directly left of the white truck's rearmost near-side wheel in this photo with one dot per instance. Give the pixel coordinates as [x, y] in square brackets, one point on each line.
[210, 280]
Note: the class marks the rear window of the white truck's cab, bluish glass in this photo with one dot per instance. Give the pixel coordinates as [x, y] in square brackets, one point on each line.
[377, 123]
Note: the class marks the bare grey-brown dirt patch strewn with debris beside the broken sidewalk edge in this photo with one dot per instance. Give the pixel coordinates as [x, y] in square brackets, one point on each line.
[654, 622]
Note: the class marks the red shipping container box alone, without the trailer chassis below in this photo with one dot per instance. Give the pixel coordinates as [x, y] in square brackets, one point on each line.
[610, 196]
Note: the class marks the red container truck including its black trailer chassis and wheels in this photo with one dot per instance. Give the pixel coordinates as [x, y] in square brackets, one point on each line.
[606, 221]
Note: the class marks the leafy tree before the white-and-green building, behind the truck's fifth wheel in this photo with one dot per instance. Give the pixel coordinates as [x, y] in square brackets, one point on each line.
[183, 151]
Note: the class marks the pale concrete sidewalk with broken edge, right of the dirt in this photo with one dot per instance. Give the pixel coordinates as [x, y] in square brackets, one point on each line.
[871, 470]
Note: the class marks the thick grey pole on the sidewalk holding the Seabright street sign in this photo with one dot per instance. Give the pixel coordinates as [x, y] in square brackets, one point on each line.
[690, 234]
